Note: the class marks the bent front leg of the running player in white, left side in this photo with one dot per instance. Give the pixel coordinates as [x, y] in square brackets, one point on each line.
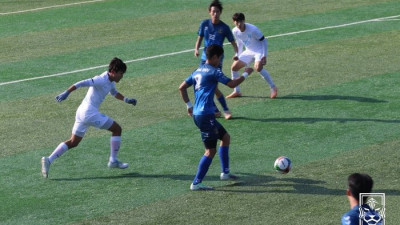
[115, 143]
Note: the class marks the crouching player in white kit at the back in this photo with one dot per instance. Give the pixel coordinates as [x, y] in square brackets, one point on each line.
[256, 50]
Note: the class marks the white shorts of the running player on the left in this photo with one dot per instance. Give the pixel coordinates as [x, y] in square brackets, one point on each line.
[90, 117]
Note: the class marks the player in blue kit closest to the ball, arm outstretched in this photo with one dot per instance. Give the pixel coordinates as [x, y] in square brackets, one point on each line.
[204, 81]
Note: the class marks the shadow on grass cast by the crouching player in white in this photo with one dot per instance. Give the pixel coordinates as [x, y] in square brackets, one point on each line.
[332, 97]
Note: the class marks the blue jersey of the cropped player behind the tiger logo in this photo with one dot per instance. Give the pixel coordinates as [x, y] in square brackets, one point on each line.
[352, 217]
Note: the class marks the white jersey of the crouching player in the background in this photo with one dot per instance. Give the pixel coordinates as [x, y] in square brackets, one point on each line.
[251, 38]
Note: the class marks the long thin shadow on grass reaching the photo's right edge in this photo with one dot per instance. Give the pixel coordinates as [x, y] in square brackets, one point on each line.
[313, 120]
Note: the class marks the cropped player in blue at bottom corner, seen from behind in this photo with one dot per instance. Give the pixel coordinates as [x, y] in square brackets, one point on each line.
[360, 183]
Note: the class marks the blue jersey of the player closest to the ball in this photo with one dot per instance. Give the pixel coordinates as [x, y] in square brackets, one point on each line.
[204, 81]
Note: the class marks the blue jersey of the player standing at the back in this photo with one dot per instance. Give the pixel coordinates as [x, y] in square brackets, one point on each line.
[214, 34]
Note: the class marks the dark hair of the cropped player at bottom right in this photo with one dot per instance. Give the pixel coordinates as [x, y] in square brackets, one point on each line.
[359, 183]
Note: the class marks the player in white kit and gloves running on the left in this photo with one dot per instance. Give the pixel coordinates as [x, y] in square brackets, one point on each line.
[88, 114]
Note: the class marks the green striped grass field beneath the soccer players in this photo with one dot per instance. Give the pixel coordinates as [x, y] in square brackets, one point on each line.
[337, 112]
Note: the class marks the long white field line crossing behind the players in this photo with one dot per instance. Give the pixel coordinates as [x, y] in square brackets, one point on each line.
[190, 50]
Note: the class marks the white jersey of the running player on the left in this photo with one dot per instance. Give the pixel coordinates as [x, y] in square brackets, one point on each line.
[100, 86]
